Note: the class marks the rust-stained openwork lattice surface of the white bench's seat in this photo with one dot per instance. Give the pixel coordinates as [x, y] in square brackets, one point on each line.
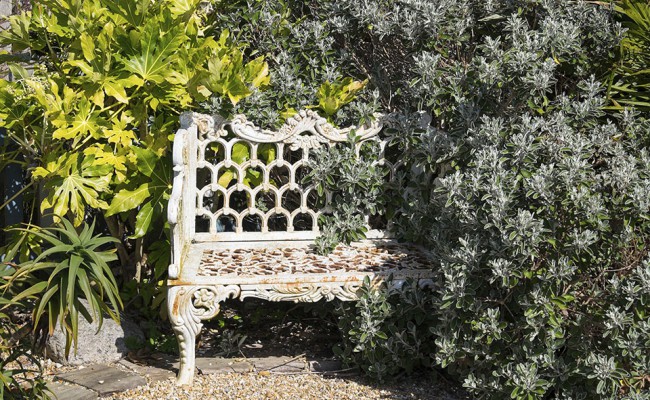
[280, 261]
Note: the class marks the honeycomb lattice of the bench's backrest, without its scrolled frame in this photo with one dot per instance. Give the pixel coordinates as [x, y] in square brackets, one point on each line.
[252, 194]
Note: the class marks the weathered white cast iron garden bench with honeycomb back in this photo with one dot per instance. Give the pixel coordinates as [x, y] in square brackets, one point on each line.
[243, 220]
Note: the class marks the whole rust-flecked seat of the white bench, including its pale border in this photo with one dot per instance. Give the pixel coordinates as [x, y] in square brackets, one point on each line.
[271, 263]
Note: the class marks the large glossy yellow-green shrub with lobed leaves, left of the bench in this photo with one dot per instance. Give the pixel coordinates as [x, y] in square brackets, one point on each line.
[94, 119]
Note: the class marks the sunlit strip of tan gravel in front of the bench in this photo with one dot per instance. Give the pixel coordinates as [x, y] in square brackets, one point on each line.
[312, 386]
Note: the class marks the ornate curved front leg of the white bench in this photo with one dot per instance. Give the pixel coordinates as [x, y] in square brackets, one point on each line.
[188, 306]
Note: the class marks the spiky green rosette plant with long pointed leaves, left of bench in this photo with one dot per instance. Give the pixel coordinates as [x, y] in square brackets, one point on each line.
[74, 266]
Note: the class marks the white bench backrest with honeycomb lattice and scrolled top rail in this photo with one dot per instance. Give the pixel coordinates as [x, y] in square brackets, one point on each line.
[249, 181]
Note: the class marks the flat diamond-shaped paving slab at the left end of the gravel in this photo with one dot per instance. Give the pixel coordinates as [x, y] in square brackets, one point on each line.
[104, 379]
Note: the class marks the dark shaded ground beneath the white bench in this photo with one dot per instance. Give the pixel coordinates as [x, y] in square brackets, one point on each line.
[254, 331]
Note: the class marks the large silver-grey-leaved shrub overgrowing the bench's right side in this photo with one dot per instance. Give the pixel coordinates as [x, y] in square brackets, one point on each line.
[532, 197]
